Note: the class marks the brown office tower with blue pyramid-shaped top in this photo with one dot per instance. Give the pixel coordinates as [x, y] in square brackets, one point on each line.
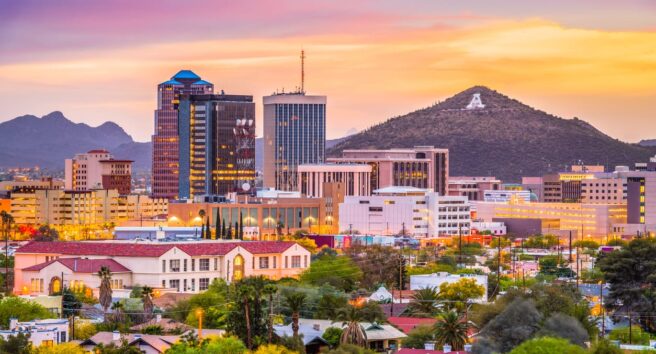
[165, 140]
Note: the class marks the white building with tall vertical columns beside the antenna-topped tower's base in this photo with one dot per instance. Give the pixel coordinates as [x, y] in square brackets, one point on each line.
[356, 179]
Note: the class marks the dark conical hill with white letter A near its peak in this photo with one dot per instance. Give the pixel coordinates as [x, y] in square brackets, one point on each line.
[505, 138]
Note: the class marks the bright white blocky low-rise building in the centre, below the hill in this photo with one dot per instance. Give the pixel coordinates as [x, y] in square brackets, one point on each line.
[406, 211]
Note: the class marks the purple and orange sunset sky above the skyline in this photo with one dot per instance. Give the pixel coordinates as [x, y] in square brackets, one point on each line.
[102, 60]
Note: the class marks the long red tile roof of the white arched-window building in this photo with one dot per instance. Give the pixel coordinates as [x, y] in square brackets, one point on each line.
[123, 249]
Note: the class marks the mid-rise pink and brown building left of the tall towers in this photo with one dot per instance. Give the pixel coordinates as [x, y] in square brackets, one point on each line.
[97, 169]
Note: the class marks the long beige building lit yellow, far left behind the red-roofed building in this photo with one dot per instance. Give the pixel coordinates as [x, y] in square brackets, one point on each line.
[87, 209]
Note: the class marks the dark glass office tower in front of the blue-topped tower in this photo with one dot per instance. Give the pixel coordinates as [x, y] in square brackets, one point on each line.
[217, 145]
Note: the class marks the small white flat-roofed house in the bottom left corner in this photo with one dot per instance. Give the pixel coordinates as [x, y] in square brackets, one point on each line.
[41, 332]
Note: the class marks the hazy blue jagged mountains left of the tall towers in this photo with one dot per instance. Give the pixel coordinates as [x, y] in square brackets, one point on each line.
[32, 141]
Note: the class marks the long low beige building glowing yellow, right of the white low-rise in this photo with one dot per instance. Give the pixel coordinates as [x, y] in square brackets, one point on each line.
[587, 220]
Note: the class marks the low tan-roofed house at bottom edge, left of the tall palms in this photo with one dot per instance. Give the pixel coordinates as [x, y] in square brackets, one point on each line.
[148, 344]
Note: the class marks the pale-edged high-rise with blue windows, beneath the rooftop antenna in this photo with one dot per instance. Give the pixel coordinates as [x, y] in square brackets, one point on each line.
[294, 134]
